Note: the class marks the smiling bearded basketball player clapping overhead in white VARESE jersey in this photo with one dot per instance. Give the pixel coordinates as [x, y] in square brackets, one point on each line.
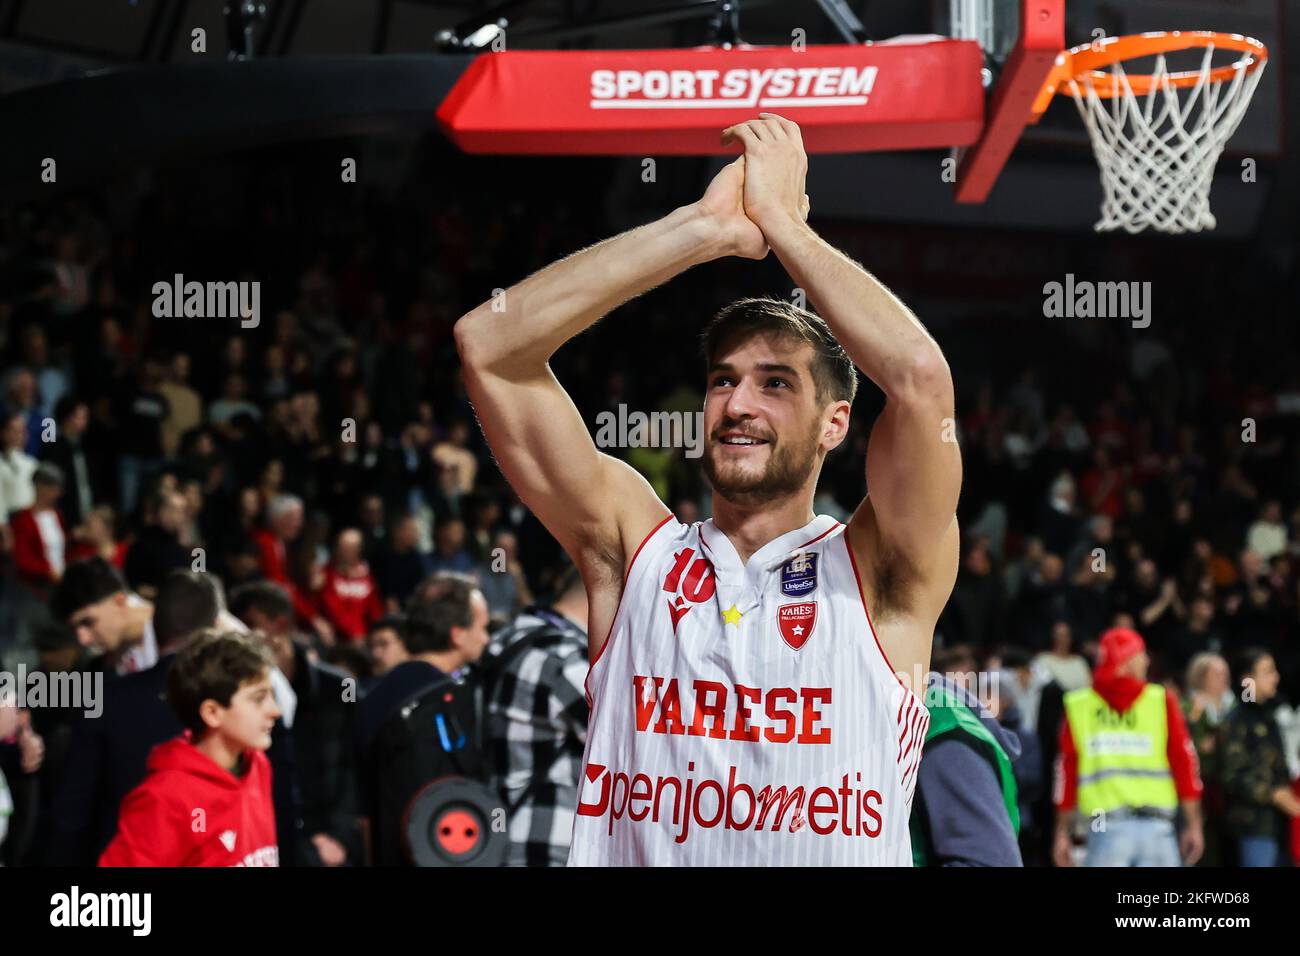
[755, 677]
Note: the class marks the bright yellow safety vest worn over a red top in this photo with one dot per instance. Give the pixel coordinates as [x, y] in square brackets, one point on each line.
[1123, 758]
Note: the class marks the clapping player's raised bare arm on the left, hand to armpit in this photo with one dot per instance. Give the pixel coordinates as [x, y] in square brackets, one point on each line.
[597, 507]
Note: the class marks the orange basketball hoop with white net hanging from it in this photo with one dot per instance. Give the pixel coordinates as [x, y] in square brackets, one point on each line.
[1158, 137]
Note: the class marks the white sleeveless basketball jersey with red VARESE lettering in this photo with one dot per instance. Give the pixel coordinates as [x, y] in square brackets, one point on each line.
[746, 715]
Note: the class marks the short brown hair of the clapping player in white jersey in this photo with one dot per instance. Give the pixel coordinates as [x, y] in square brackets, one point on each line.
[834, 373]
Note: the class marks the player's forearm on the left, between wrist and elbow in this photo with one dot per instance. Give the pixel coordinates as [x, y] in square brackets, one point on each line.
[521, 330]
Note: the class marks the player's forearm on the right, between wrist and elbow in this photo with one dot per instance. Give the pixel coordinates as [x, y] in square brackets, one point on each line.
[878, 331]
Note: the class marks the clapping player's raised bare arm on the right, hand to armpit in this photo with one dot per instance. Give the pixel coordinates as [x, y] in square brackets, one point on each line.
[905, 534]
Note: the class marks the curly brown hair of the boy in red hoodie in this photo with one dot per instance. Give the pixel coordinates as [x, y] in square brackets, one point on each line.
[214, 667]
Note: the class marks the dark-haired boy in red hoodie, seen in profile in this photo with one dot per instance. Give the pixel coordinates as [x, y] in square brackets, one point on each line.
[207, 798]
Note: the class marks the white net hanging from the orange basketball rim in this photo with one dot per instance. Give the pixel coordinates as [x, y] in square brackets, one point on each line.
[1158, 150]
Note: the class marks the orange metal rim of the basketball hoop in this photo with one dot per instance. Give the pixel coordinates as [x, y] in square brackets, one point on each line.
[1085, 62]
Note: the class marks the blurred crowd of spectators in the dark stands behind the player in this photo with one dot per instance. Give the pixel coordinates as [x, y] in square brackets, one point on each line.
[332, 449]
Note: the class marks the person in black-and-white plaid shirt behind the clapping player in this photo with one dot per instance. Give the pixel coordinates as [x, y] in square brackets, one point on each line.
[538, 719]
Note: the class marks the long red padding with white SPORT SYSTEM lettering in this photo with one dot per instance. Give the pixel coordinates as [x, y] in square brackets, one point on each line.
[645, 102]
